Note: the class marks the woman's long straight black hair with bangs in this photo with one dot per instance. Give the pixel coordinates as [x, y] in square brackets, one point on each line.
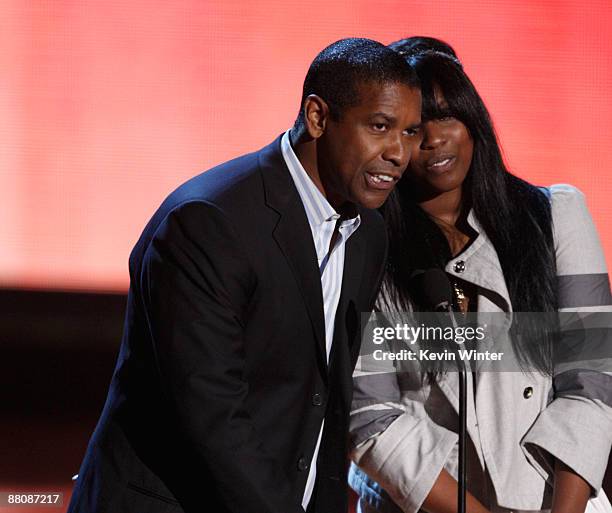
[515, 215]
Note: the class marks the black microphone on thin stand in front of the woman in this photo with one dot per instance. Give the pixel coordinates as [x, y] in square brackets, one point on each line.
[437, 293]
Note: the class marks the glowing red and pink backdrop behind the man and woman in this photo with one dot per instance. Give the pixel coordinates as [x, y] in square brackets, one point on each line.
[106, 106]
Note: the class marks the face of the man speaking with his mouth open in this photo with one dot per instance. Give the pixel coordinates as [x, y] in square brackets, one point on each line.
[364, 154]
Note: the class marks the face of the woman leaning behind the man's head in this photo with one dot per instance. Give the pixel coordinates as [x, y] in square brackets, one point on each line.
[441, 162]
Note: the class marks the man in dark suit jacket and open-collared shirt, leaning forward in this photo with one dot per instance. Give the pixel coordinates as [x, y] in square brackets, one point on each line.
[233, 384]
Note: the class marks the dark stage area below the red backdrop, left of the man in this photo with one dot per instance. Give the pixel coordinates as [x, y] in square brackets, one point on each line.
[58, 353]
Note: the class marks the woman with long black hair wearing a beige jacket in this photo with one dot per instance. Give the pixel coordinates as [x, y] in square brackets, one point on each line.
[537, 440]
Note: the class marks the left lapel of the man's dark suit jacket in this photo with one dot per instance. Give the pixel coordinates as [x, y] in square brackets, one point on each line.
[294, 237]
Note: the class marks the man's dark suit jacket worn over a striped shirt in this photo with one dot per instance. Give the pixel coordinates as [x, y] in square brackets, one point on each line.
[221, 382]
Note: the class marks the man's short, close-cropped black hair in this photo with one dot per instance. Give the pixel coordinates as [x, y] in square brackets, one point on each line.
[337, 72]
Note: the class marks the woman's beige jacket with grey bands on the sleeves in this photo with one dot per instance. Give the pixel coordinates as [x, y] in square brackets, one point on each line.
[405, 432]
